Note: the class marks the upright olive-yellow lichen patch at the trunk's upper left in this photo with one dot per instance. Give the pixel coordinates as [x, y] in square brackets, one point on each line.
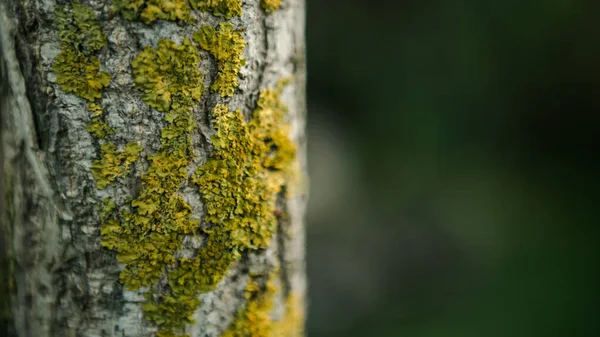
[77, 69]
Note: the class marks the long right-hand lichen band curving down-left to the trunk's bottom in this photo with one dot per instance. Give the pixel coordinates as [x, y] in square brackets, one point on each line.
[224, 241]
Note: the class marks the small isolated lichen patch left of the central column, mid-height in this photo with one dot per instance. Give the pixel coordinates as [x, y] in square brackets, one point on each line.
[113, 163]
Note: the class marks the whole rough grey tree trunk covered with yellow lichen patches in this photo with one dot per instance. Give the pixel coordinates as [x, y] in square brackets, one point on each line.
[136, 199]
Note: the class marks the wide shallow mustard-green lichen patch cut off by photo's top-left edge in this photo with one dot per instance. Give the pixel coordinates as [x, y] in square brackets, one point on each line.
[151, 10]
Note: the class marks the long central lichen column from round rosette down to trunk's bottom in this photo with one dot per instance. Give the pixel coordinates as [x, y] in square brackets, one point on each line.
[147, 236]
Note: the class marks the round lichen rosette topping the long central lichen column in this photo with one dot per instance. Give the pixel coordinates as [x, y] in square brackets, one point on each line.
[169, 75]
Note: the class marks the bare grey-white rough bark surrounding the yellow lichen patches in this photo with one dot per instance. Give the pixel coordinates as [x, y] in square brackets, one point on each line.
[62, 281]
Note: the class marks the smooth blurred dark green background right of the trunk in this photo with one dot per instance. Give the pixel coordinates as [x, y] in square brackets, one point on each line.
[454, 158]
